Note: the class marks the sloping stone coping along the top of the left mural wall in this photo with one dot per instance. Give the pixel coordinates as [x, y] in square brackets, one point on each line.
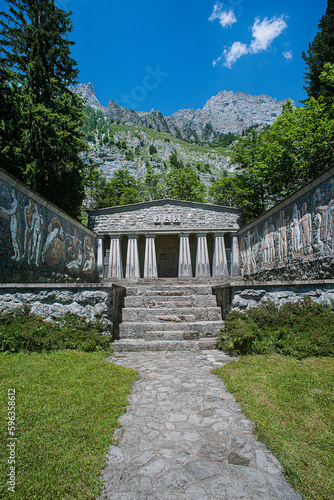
[15, 183]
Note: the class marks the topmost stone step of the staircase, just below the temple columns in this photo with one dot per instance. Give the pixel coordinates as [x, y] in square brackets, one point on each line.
[169, 291]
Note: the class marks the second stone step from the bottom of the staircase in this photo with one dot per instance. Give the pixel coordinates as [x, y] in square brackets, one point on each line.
[133, 330]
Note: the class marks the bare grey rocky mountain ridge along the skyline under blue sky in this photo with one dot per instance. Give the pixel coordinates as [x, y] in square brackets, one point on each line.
[223, 113]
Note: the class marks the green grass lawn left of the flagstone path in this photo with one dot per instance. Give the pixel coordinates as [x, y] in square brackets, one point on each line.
[66, 408]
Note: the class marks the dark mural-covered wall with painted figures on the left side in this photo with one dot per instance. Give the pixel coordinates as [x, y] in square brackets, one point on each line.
[38, 241]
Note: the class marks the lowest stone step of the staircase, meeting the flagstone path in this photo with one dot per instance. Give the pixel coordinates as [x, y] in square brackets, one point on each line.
[163, 345]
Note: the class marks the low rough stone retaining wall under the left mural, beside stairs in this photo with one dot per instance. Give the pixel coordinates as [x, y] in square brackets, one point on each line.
[52, 301]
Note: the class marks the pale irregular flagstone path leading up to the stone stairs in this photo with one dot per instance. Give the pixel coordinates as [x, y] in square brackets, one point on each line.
[185, 437]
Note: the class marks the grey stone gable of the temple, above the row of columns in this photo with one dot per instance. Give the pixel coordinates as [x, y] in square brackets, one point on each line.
[165, 216]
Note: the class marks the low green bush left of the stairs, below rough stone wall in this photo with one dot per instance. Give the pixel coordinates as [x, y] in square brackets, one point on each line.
[28, 333]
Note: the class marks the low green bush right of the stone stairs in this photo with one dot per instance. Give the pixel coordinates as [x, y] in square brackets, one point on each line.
[302, 329]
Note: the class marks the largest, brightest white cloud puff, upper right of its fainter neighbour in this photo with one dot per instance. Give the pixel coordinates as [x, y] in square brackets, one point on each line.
[265, 32]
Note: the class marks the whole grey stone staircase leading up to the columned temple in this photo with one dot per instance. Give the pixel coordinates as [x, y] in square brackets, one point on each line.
[166, 315]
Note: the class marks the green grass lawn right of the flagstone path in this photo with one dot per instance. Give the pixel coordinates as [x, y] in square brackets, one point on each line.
[291, 403]
